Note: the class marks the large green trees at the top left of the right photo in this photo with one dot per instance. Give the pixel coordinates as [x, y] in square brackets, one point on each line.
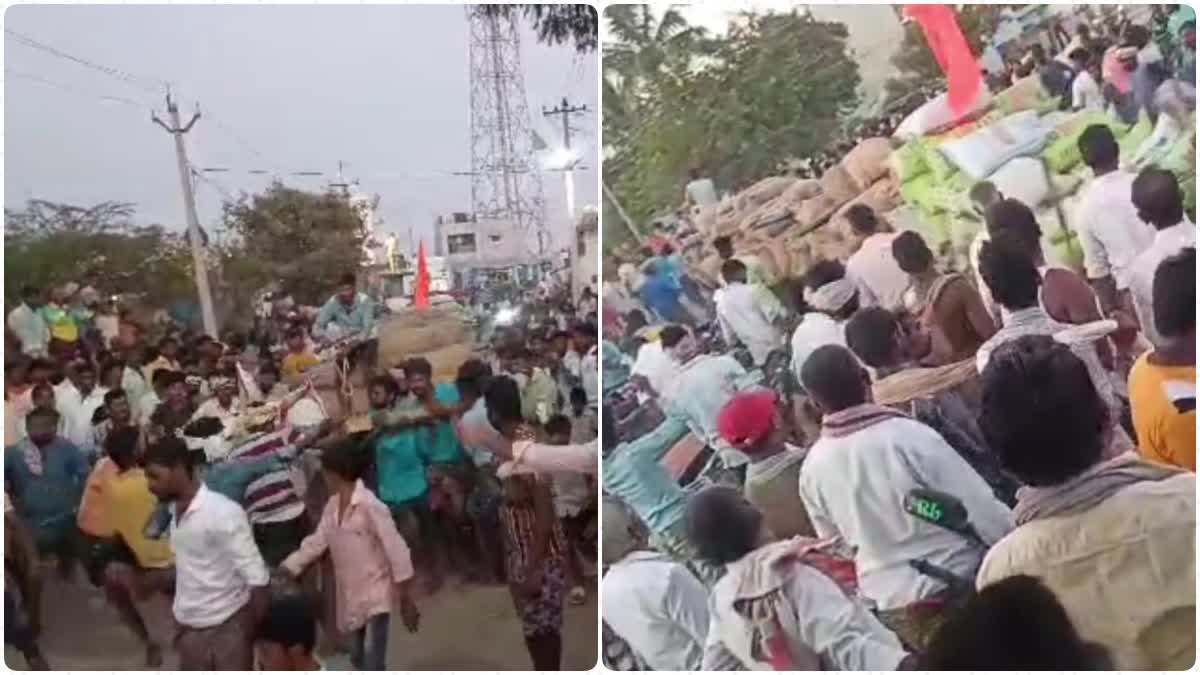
[736, 107]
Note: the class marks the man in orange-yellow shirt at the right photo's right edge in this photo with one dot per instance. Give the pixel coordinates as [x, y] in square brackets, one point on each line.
[1163, 383]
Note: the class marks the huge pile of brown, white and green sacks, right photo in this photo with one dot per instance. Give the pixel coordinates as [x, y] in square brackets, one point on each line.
[921, 180]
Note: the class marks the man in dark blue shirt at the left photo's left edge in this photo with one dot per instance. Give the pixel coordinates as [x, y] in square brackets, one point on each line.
[45, 475]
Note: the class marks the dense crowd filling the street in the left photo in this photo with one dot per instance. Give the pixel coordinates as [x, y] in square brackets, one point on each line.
[209, 473]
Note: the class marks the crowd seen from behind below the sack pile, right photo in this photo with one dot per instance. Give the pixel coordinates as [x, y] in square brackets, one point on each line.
[897, 465]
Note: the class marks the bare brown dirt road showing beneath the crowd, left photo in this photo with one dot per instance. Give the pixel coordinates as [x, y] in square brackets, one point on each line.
[463, 629]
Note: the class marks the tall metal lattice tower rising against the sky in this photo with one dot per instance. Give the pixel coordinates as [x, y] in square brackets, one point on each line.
[506, 180]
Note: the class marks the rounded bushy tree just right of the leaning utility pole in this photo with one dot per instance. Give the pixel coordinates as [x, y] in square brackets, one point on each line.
[303, 240]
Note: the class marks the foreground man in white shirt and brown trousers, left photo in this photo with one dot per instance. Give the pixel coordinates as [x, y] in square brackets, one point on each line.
[221, 582]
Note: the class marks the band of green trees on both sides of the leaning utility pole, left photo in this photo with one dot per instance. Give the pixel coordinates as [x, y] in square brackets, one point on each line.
[303, 240]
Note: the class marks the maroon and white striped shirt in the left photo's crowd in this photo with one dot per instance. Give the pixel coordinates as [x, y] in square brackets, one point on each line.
[273, 497]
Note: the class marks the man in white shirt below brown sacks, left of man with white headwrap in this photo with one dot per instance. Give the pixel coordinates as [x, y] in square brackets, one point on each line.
[748, 314]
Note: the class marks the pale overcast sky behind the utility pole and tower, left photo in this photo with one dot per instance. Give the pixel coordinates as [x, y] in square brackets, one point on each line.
[286, 88]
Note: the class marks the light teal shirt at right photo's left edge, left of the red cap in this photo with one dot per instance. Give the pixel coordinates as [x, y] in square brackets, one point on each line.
[633, 474]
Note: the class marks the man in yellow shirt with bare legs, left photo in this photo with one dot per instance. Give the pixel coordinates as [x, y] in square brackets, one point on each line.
[139, 566]
